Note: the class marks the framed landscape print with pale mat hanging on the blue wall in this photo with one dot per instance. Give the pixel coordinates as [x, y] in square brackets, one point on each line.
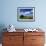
[26, 14]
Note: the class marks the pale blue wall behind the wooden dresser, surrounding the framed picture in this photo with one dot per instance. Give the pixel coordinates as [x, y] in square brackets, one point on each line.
[8, 13]
